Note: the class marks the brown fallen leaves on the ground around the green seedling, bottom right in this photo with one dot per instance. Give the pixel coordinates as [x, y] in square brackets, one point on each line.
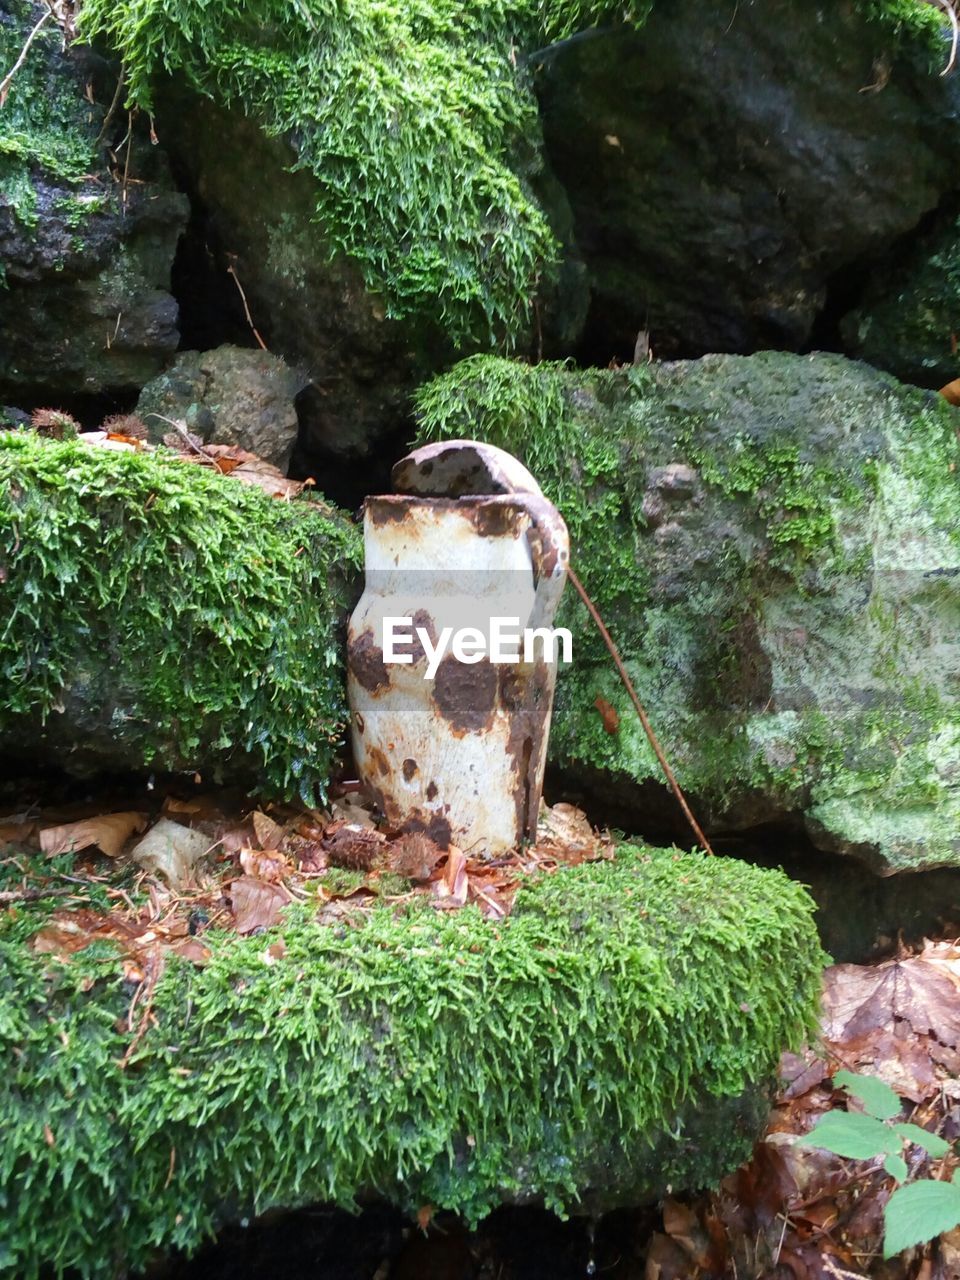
[798, 1213]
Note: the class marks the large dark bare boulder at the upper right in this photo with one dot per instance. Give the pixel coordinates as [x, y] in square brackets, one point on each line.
[726, 162]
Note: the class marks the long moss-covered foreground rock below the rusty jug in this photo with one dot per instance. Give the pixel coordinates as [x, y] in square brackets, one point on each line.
[614, 1036]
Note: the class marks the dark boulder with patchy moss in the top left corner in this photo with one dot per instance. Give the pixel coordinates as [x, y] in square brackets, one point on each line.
[86, 248]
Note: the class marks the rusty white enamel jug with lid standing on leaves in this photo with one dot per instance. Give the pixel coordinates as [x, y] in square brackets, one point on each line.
[449, 734]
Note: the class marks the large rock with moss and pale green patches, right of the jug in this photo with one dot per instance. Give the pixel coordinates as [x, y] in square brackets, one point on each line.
[775, 542]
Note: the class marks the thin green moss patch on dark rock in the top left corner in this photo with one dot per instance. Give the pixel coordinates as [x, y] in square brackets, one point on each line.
[45, 124]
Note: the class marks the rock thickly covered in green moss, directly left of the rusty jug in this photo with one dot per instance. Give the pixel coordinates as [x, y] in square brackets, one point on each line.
[156, 614]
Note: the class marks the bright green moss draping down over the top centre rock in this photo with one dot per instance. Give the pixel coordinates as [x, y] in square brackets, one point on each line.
[417, 118]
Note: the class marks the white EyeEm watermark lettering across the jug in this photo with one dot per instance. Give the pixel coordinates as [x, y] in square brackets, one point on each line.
[502, 643]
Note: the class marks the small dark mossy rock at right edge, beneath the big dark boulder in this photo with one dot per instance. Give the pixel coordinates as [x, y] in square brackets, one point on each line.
[909, 319]
